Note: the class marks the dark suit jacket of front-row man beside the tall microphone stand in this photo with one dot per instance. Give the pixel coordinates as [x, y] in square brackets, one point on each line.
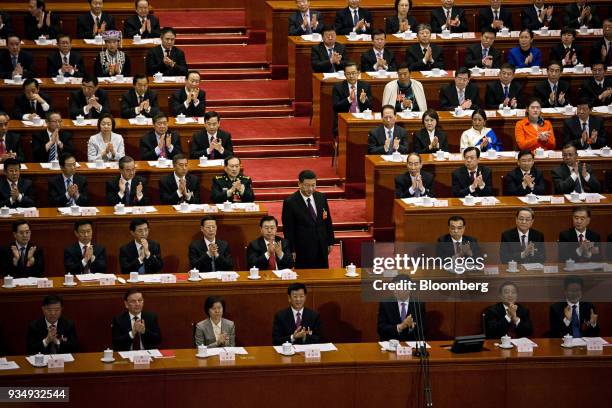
[389, 318]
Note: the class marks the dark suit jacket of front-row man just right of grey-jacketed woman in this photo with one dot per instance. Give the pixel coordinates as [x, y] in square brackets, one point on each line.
[284, 326]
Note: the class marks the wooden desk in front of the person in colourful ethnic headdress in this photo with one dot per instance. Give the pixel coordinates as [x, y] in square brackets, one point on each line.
[60, 94]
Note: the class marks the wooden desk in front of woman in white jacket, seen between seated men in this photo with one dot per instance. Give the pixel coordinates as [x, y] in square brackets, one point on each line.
[97, 178]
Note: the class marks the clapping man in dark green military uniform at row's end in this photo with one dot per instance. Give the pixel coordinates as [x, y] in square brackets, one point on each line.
[232, 186]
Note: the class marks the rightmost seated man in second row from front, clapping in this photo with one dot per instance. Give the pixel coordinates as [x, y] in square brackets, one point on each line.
[579, 242]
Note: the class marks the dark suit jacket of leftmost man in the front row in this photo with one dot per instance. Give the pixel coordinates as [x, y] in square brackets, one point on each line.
[37, 331]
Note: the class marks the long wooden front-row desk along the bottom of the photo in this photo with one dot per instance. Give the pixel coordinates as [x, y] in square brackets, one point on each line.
[356, 375]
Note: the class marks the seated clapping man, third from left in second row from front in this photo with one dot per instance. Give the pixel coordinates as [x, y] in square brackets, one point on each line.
[141, 255]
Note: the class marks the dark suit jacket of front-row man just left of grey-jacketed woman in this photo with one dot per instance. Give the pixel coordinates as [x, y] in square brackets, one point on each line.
[122, 326]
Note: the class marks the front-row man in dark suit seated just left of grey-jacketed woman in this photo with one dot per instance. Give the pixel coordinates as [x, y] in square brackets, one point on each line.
[135, 329]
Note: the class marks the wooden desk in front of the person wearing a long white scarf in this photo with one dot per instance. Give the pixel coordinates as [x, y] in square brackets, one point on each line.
[353, 137]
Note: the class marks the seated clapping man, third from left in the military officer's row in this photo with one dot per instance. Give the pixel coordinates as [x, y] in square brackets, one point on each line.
[127, 188]
